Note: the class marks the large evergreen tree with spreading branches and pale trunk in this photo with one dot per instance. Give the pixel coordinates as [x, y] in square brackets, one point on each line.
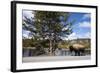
[49, 25]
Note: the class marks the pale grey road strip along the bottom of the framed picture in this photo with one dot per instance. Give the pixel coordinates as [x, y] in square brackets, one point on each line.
[55, 58]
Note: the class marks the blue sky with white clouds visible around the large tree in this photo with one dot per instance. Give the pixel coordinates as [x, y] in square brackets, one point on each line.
[81, 27]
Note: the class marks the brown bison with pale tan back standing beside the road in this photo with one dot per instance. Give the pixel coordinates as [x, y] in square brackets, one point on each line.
[78, 49]
